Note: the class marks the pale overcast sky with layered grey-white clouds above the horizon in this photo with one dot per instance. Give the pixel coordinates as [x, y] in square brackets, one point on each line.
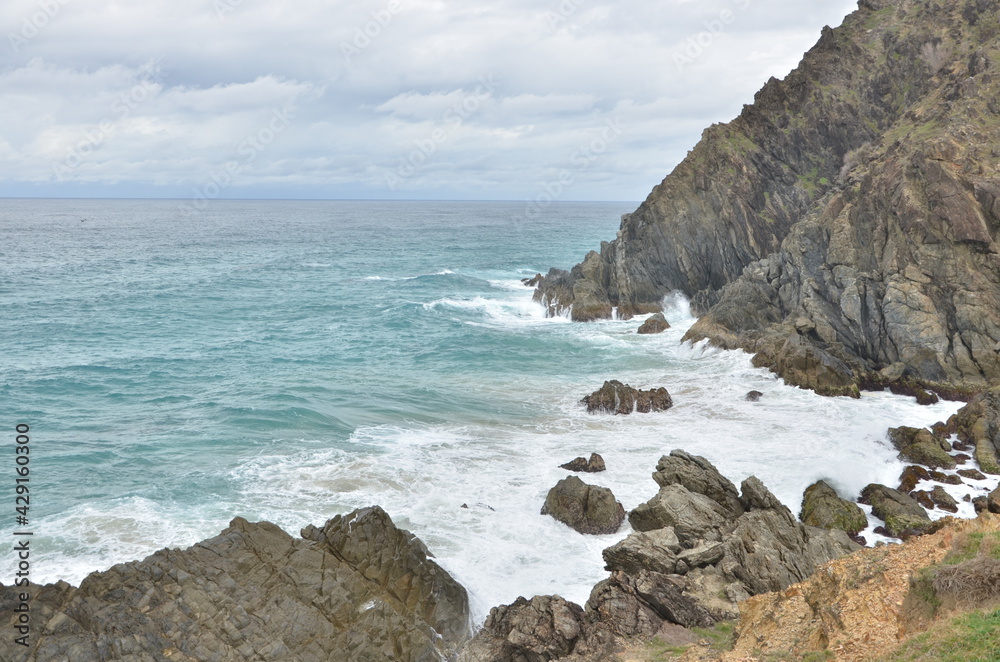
[394, 99]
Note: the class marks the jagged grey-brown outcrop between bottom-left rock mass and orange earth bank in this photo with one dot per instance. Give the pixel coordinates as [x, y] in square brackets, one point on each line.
[700, 547]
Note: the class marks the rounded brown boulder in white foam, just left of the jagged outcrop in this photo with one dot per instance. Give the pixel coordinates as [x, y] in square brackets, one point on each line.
[585, 508]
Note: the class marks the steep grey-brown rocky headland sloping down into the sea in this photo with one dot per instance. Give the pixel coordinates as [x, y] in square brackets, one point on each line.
[843, 227]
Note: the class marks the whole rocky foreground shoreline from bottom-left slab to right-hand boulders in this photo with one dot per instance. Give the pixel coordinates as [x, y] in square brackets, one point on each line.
[359, 588]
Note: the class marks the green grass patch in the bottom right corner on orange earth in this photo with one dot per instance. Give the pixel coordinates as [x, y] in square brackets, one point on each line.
[971, 637]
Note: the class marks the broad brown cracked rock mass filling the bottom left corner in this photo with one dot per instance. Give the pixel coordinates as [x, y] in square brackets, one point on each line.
[358, 589]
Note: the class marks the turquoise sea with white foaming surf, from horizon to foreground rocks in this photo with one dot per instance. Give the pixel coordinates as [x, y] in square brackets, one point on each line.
[291, 361]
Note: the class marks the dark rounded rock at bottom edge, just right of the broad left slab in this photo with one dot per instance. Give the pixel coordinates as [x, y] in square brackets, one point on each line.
[540, 629]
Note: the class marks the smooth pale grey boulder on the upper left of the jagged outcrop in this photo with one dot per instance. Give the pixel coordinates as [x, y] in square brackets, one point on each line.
[694, 517]
